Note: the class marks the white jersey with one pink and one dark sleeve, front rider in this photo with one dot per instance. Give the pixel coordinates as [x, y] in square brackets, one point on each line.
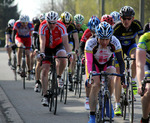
[94, 53]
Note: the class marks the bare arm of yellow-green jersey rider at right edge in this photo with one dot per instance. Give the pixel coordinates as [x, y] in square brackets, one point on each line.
[140, 63]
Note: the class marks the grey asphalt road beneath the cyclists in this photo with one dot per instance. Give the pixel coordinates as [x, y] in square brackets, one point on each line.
[24, 106]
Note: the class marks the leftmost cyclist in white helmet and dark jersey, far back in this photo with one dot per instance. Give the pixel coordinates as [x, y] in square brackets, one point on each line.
[8, 39]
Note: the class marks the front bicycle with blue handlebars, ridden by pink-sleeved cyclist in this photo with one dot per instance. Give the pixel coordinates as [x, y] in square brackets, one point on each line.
[103, 96]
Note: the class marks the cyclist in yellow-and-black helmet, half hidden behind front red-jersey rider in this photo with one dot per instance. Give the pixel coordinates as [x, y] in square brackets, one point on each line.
[67, 18]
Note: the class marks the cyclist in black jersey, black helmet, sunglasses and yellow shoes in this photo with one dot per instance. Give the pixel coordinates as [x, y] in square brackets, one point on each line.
[126, 31]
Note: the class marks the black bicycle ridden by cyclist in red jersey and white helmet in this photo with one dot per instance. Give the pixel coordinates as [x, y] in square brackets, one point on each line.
[52, 84]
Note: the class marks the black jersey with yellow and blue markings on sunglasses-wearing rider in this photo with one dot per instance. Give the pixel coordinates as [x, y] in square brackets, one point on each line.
[127, 37]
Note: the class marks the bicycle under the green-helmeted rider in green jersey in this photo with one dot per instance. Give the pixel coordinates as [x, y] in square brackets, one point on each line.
[78, 76]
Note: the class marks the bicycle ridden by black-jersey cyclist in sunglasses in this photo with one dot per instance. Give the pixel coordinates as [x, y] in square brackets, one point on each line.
[127, 97]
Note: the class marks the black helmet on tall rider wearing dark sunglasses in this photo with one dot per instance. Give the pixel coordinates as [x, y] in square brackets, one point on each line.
[127, 11]
